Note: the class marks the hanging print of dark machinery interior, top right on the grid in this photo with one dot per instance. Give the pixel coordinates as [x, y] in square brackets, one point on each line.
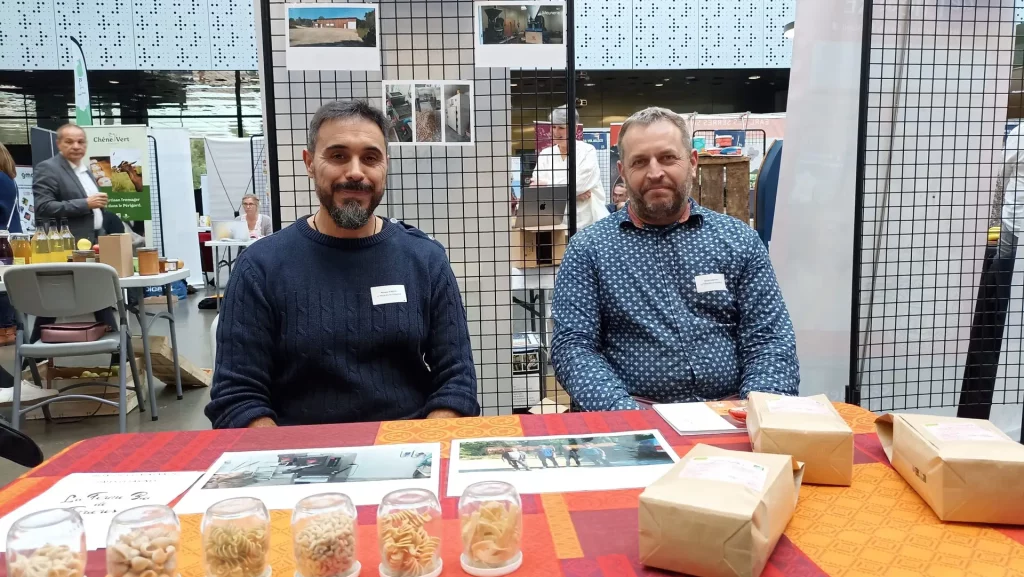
[522, 35]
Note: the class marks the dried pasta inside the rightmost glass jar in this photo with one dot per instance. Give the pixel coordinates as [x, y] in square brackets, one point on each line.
[491, 534]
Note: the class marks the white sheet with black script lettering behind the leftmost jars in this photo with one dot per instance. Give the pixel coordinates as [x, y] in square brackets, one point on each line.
[100, 497]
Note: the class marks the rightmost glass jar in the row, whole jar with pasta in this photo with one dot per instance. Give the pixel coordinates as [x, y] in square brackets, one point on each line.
[491, 514]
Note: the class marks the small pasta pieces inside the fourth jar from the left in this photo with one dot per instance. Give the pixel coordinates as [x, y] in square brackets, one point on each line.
[325, 546]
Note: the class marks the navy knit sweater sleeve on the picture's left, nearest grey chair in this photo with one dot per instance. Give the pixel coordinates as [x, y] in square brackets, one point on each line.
[241, 391]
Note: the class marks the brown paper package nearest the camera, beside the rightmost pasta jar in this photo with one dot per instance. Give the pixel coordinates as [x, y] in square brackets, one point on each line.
[718, 513]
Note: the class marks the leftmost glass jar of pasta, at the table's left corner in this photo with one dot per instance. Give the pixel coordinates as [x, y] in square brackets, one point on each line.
[49, 543]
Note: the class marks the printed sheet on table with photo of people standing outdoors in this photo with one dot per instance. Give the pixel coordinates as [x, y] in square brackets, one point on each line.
[626, 461]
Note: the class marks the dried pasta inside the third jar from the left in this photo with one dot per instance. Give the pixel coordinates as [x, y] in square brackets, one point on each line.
[237, 552]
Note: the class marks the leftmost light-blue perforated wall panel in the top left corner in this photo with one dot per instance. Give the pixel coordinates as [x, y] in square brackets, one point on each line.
[27, 34]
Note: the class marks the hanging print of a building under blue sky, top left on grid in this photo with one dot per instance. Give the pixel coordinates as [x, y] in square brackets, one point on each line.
[332, 37]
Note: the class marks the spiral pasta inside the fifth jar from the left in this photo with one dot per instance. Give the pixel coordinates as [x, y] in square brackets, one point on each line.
[407, 549]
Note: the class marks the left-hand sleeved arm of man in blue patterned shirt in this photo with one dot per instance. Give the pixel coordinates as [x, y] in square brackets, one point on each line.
[576, 355]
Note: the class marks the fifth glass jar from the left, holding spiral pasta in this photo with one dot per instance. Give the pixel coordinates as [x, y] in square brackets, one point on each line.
[409, 531]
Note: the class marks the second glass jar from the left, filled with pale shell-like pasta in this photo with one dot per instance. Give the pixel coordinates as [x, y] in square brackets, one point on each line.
[142, 540]
